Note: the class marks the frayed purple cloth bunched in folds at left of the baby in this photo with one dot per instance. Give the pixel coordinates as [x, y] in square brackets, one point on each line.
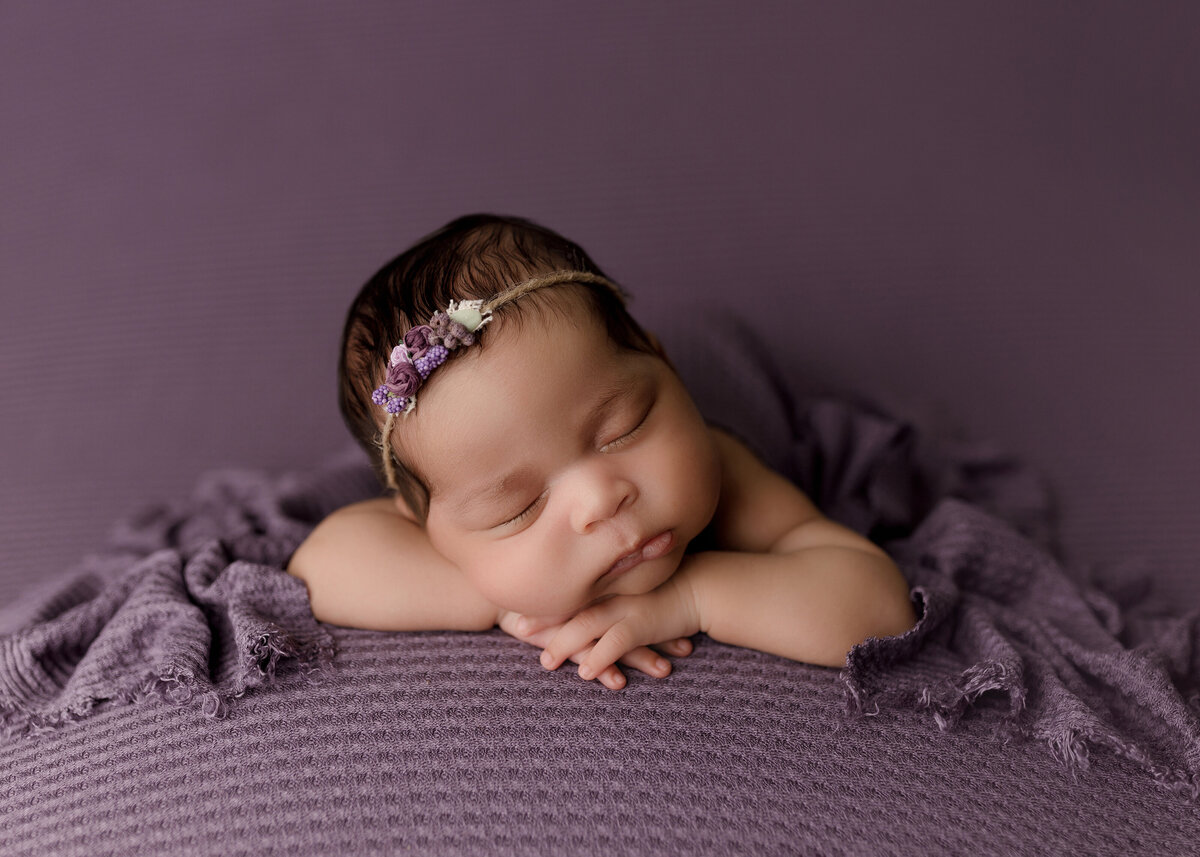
[189, 602]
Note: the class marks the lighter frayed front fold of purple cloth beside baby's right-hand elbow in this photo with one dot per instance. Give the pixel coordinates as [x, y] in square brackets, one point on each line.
[1003, 625]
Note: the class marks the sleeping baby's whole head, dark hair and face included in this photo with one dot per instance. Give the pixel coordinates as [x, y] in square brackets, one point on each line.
[555, 457]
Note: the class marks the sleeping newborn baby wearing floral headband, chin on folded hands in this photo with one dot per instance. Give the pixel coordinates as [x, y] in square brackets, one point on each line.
[550, 475]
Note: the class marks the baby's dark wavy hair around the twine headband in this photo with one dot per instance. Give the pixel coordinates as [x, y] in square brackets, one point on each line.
[473, 257]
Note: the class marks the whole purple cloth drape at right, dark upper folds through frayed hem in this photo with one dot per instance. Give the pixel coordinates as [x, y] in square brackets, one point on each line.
[1004, 625]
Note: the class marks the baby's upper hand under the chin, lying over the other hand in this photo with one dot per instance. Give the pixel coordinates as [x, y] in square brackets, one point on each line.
[621, 628]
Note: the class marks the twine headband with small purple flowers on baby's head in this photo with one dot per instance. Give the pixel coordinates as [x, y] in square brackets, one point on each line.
[428, 346]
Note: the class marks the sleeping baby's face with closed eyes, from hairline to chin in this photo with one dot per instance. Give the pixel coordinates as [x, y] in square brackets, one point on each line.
[561, 469]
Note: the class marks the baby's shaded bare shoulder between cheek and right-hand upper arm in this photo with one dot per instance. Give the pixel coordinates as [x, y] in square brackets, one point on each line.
[758, 506]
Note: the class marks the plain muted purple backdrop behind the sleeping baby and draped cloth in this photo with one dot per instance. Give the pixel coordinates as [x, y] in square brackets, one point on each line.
[983, 217]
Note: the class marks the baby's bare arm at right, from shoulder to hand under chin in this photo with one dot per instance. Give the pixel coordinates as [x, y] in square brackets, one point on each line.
[796, 585]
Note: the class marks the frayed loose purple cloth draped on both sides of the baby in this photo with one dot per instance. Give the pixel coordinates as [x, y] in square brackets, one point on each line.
[190, 603]
